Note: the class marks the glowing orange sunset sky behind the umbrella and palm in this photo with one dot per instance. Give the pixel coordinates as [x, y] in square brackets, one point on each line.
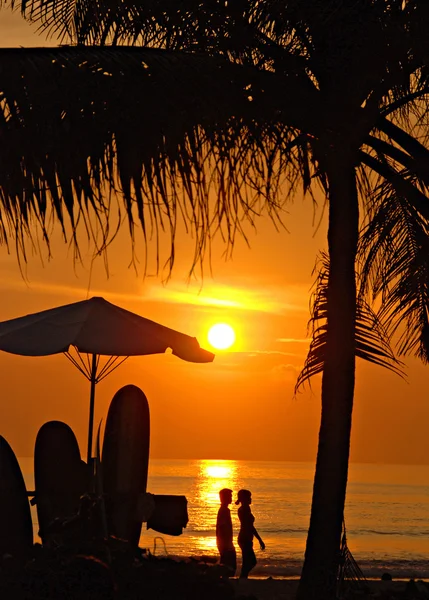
[240, 406]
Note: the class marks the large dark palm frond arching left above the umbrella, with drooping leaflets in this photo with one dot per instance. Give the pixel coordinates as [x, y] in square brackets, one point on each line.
[174, 134]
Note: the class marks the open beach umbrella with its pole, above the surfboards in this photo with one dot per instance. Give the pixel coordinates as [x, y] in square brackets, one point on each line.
[95, 328]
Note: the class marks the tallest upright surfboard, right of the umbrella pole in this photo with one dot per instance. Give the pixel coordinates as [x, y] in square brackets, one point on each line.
[125, 460]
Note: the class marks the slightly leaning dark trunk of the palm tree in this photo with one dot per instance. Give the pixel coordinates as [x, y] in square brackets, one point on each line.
[318, 578]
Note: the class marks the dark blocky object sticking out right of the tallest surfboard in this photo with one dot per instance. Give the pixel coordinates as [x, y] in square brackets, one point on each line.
[170, 514]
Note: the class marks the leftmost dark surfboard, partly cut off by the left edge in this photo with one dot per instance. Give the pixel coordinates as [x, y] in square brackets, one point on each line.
[16, 528]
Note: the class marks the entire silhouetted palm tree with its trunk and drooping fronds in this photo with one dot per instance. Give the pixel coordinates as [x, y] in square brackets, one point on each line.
[233, 97]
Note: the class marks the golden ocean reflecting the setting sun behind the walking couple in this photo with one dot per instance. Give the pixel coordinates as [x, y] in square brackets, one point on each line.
[387, 512]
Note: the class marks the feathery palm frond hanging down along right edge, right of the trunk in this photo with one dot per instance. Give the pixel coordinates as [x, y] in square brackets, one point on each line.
[395, 254]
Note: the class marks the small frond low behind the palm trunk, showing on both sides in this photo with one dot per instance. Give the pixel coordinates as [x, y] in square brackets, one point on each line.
[371, 341]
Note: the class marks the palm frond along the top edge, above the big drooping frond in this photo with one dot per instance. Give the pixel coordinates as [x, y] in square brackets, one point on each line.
[214, 25]
